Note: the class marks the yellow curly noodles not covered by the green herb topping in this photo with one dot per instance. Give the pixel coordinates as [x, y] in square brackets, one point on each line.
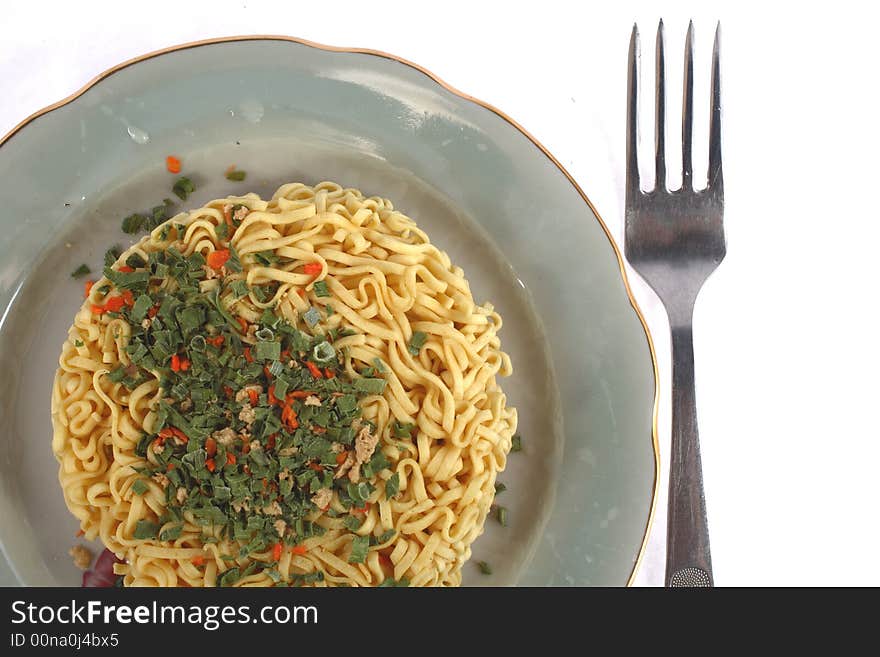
[387, 285]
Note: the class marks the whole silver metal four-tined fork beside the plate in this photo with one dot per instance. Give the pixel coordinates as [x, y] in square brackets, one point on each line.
[675, 240]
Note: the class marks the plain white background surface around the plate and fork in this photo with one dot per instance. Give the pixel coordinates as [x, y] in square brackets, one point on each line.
[785, 339]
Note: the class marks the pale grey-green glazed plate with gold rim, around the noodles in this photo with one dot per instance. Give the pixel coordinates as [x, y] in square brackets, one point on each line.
[581, 493]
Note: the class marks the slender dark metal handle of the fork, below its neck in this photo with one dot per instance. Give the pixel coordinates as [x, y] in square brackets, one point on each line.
[688, 561]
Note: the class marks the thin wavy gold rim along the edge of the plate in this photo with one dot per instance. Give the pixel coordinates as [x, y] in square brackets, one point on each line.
[379, 53]
